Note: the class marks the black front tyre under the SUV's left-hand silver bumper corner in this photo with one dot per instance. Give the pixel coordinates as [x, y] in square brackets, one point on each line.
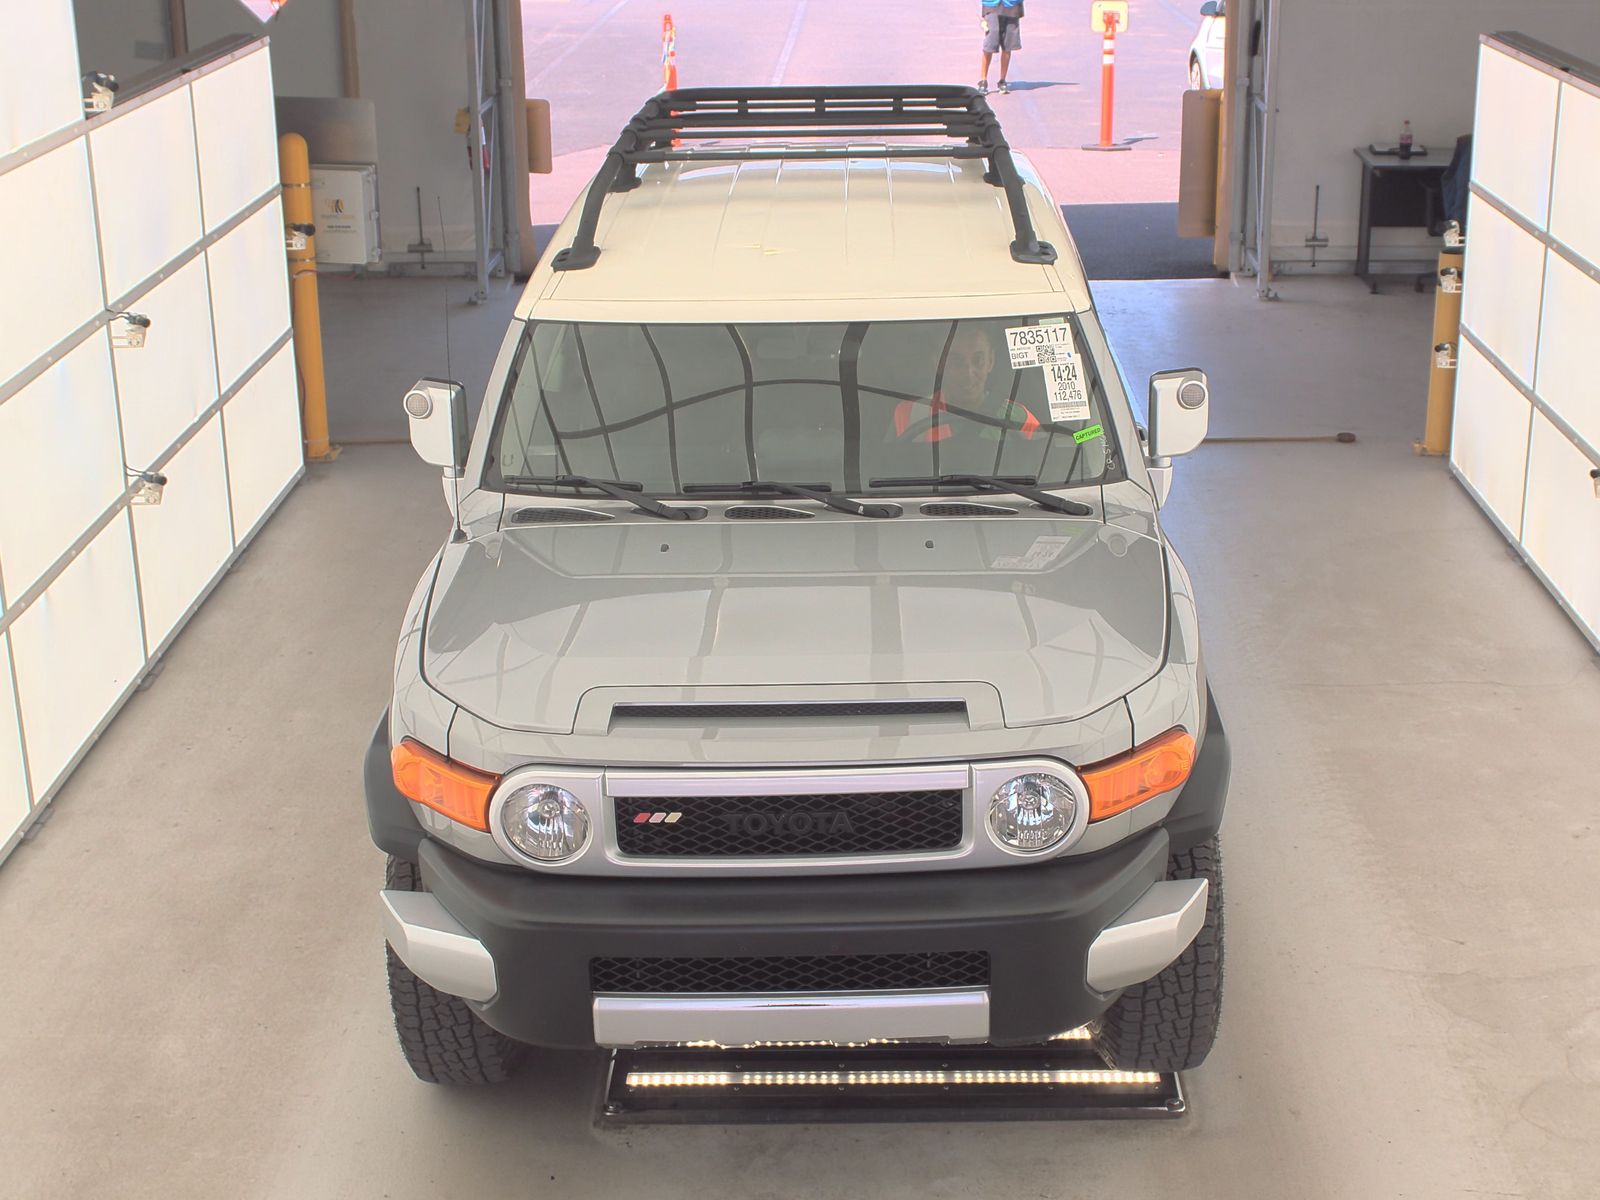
[442, 1039]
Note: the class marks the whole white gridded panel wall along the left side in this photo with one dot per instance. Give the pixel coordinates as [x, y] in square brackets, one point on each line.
[166, 207]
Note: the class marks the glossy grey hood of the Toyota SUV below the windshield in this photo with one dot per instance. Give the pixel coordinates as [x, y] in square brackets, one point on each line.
[1060, 617]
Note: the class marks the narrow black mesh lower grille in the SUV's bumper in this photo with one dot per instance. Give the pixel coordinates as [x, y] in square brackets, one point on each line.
[791, 974]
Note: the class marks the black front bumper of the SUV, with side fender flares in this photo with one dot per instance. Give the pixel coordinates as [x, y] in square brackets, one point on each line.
[1036, 924]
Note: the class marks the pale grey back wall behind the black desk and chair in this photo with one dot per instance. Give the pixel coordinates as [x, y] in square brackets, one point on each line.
[1353, 71]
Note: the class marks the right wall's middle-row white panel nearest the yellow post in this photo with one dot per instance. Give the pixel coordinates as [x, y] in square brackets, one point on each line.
[1505, 314]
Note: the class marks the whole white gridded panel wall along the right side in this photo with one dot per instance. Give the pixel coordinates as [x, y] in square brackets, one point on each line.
[1527, 423]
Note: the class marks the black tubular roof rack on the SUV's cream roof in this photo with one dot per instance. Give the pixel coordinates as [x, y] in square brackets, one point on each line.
[961, 118]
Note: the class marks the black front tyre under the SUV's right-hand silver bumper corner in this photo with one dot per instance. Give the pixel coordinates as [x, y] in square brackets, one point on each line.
[1169, 1023]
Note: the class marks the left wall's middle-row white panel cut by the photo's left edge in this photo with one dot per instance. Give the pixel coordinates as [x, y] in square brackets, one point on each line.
[60, 462]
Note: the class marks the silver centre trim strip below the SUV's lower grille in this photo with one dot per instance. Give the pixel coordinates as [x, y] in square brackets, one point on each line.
[937, 1015]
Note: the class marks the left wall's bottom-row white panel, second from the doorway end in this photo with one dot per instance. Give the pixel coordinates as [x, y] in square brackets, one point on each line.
[186, 538]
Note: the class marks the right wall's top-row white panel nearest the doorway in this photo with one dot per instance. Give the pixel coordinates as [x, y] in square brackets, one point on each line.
[1513, 135]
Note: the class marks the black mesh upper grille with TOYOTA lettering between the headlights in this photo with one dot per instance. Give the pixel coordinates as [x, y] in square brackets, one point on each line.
[775, 826]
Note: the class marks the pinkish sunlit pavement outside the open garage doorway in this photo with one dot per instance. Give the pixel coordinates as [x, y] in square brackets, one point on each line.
[599, 60]
